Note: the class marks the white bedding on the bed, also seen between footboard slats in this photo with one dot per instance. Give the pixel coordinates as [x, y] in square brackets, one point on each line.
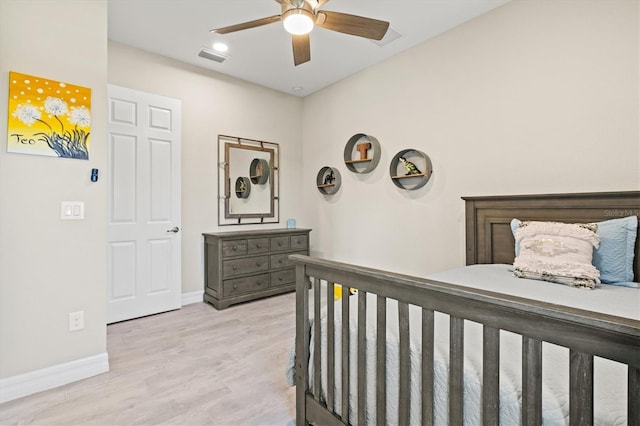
[610, 377]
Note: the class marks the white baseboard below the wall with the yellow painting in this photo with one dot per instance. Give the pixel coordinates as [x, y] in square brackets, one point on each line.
[47, 378]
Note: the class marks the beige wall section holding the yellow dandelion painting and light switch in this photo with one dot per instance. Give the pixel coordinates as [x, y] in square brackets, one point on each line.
[50, 267]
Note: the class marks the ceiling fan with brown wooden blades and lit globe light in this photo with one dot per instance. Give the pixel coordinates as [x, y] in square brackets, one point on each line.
[299, 18]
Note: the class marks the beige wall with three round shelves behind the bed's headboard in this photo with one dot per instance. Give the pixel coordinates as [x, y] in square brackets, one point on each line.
[533, 97]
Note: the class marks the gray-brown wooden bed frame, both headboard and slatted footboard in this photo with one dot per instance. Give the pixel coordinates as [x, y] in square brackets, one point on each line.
[488, 240]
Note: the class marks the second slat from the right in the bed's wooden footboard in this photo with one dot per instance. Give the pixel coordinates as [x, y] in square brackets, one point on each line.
[580, 388]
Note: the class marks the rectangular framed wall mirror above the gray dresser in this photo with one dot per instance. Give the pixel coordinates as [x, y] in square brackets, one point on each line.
[248, 184]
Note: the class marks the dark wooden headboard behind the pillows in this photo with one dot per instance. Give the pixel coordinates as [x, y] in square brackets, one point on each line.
[488, 234]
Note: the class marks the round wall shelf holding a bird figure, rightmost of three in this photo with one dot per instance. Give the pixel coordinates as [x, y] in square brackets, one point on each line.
[410, 169]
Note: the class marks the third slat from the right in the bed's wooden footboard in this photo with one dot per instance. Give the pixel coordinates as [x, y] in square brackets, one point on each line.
[531, 381]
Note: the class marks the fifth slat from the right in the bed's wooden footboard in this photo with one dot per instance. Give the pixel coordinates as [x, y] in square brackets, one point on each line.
[456, 369]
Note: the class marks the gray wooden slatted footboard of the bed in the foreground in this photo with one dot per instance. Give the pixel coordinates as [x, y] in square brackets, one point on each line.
[586, 334]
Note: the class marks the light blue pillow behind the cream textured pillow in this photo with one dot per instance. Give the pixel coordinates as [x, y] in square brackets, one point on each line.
[614, 257]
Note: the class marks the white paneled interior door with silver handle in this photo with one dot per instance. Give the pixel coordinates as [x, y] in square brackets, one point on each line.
[144, 204]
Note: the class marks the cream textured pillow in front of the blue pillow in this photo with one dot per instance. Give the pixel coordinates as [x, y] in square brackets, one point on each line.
[557, 252]
